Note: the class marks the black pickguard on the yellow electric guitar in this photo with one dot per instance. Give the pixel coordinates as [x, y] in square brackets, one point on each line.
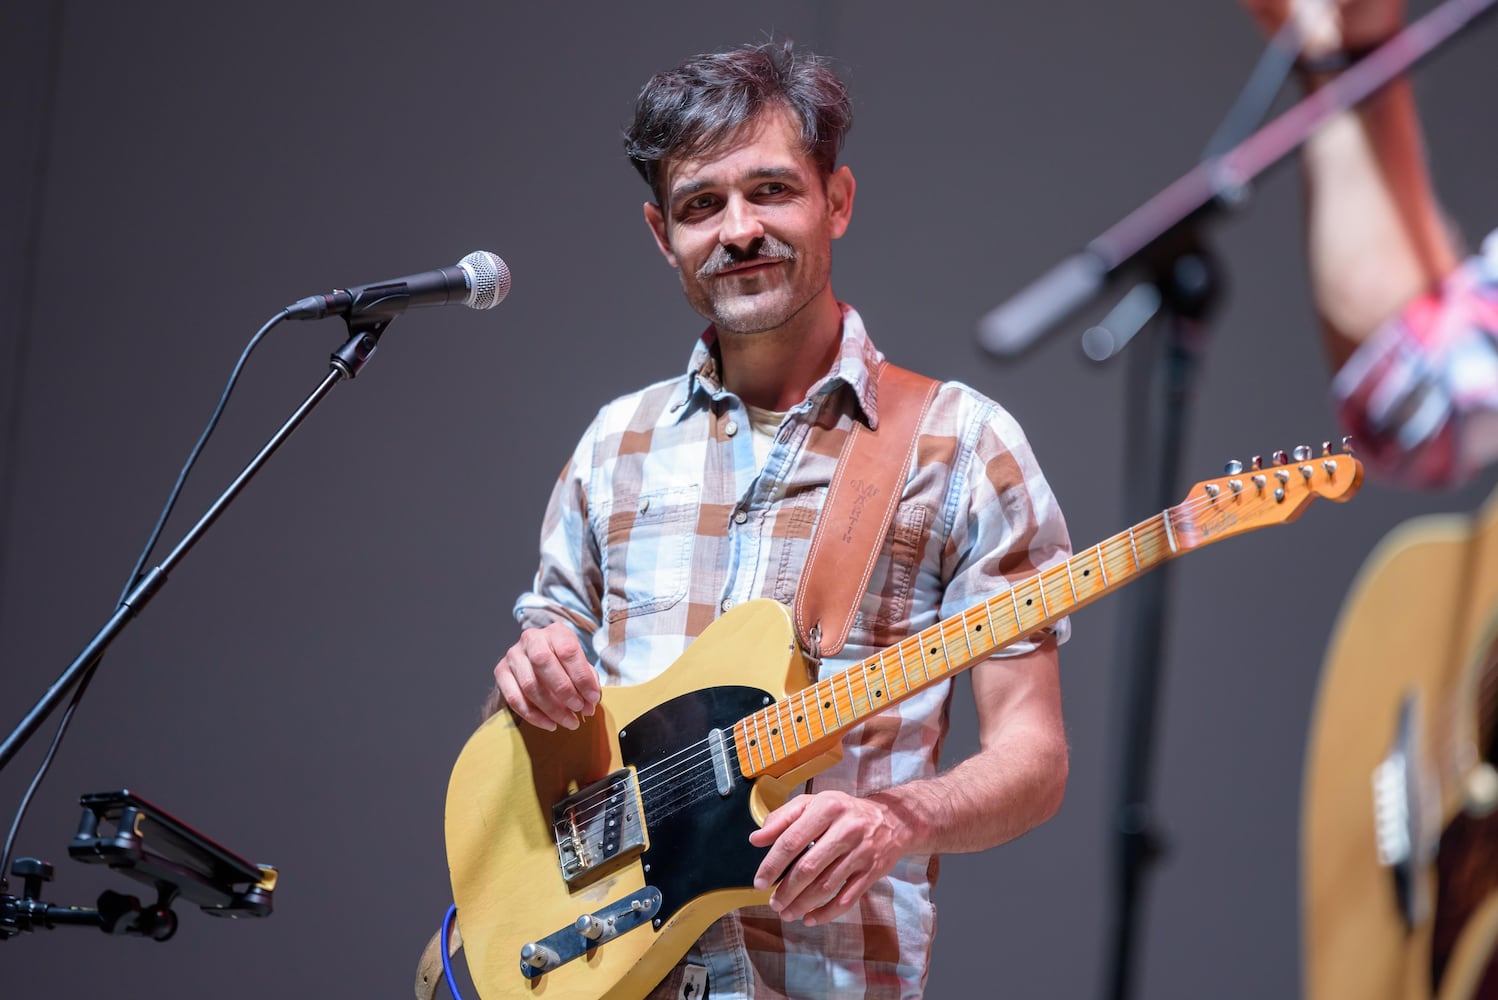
[699, 842]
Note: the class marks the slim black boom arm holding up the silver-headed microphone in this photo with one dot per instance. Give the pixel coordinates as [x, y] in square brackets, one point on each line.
[345, 365]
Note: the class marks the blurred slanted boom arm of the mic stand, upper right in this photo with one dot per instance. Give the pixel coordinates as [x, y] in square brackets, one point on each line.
[1153, 233]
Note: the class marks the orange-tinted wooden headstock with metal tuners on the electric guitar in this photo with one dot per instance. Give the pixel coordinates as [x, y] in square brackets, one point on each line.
[1265, 495]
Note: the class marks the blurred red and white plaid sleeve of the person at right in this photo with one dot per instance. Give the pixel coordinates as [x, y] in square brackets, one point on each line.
[1421, 396]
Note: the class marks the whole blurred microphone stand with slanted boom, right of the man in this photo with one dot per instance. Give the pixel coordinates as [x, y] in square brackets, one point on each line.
[1163, 240]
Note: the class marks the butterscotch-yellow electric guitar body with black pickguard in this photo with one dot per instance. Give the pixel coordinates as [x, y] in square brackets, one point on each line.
[504, 854]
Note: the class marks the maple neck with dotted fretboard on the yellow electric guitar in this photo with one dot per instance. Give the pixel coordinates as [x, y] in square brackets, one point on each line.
[787, 731]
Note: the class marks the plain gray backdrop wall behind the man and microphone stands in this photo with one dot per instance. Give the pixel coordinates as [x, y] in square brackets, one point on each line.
[178, 173]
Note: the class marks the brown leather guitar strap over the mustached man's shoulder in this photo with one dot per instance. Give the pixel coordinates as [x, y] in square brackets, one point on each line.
[861, 505]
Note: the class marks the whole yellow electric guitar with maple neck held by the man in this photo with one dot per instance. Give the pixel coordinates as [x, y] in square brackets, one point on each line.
[585, 863]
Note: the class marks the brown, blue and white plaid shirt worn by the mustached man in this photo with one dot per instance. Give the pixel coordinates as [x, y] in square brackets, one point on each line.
[663, 520]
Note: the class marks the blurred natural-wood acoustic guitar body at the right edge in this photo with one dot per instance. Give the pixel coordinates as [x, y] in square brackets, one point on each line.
[1400, 833]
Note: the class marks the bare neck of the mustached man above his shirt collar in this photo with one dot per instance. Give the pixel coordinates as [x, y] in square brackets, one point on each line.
[778, 368]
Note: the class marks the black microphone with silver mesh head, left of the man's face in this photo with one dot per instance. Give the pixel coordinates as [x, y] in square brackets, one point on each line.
[480, 281]
